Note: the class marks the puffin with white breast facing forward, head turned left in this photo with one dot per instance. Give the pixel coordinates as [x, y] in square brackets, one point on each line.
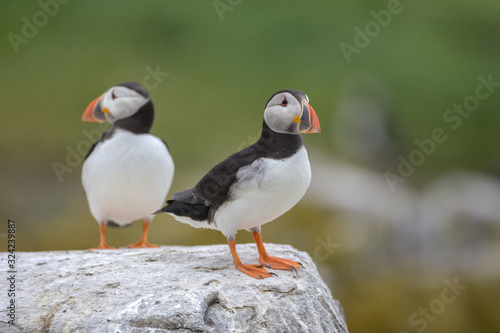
[127, 173]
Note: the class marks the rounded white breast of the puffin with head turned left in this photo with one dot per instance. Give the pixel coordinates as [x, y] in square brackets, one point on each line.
[127, 177]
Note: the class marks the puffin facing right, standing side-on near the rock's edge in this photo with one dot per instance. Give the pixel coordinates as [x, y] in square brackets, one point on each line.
[257, 184]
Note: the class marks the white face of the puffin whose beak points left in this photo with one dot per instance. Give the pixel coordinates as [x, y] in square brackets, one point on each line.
[121, 102]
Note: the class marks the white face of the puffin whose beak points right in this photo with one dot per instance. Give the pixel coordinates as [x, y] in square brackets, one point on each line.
[283, 112]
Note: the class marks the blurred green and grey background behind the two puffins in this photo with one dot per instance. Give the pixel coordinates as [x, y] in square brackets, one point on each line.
[390, 252]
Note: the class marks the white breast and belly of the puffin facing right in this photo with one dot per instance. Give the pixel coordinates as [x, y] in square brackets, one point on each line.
[264, 190]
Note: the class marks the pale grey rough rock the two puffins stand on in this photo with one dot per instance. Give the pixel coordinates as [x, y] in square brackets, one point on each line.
[169, 289]
